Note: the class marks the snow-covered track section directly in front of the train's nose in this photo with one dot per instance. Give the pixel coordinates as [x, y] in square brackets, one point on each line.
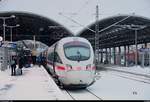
[83, 94]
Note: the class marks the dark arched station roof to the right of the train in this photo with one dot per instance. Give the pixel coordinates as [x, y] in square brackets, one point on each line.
[119, 31]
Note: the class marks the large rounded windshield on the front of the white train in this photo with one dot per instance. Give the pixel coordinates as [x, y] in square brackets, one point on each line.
[77, 52]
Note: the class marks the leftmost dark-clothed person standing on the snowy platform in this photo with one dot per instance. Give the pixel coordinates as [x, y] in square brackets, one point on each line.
[13, 65]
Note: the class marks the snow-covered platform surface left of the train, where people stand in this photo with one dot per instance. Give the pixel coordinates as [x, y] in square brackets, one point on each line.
[34, 84]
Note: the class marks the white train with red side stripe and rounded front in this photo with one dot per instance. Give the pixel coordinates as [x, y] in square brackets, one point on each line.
[71, 62]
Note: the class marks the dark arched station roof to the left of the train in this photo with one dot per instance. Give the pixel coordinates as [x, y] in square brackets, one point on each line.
[45, 30]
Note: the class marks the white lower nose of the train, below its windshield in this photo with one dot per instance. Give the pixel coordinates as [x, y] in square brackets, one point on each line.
[79, 76]
